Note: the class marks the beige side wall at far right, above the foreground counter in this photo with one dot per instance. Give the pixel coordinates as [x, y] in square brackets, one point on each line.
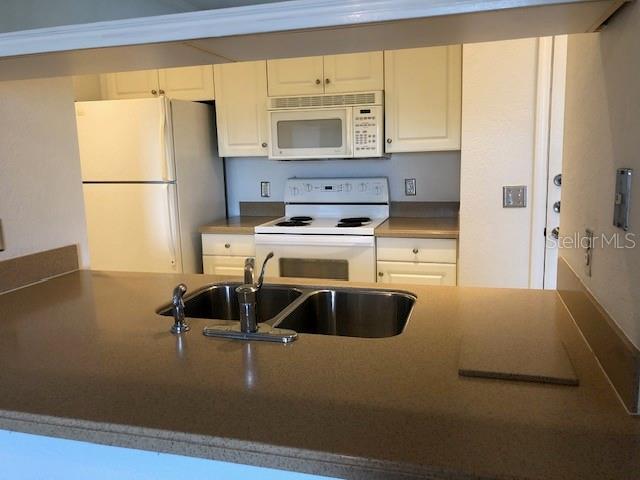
[602, 133]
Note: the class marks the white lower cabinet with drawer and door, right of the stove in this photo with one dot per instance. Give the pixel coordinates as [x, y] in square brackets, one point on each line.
[421, 261]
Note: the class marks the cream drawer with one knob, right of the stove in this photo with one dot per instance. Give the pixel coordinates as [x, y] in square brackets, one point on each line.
[434, 250]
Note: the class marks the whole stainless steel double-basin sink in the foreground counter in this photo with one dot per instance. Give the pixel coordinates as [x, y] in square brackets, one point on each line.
[346, 312]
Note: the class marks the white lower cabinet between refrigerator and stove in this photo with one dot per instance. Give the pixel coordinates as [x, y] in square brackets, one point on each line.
[225, 254]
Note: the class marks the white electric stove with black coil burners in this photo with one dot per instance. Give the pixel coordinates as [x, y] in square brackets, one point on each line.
[328, 230]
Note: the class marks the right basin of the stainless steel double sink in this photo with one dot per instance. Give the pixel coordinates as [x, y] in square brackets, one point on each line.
[350, 313]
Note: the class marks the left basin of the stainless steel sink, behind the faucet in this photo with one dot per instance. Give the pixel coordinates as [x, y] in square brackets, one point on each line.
[220, 302]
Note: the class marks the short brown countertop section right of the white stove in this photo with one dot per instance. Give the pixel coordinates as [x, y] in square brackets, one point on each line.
[446, 227]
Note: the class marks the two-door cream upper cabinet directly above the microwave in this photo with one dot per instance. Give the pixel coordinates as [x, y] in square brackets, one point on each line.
[352, 72]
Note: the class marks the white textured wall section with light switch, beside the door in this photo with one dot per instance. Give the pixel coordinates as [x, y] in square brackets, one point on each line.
[499, 100]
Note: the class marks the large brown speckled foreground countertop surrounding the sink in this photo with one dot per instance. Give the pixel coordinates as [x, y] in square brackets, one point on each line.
[85, 356]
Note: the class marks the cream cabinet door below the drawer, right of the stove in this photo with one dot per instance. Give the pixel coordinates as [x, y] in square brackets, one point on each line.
[417, 273]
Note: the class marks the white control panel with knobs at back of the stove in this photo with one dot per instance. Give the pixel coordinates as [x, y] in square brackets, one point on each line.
[337, 190]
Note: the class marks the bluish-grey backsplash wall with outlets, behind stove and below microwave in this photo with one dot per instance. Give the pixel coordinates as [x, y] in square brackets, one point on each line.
[437, 175]
